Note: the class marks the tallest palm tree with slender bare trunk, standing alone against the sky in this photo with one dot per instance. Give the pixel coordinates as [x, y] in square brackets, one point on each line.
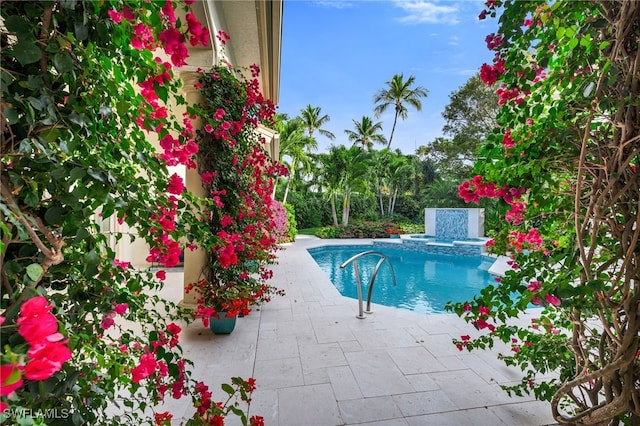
[399, 94]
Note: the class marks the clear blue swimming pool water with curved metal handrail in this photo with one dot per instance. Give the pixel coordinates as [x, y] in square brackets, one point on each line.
[425, 282]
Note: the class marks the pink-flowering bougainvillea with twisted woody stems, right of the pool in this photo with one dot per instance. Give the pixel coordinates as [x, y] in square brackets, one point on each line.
[564, 162]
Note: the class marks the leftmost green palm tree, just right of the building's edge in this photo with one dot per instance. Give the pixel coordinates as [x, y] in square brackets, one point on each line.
[295, 145]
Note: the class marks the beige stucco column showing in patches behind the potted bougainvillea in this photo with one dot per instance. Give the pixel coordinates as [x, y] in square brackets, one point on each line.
[194, 261]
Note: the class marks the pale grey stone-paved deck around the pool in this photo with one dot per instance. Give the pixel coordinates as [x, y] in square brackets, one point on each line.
[316, 364]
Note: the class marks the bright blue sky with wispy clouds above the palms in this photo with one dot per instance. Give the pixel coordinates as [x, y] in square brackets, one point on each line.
[336, 54]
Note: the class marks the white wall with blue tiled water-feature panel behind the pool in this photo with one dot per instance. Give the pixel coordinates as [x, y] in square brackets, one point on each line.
[454, 224]
